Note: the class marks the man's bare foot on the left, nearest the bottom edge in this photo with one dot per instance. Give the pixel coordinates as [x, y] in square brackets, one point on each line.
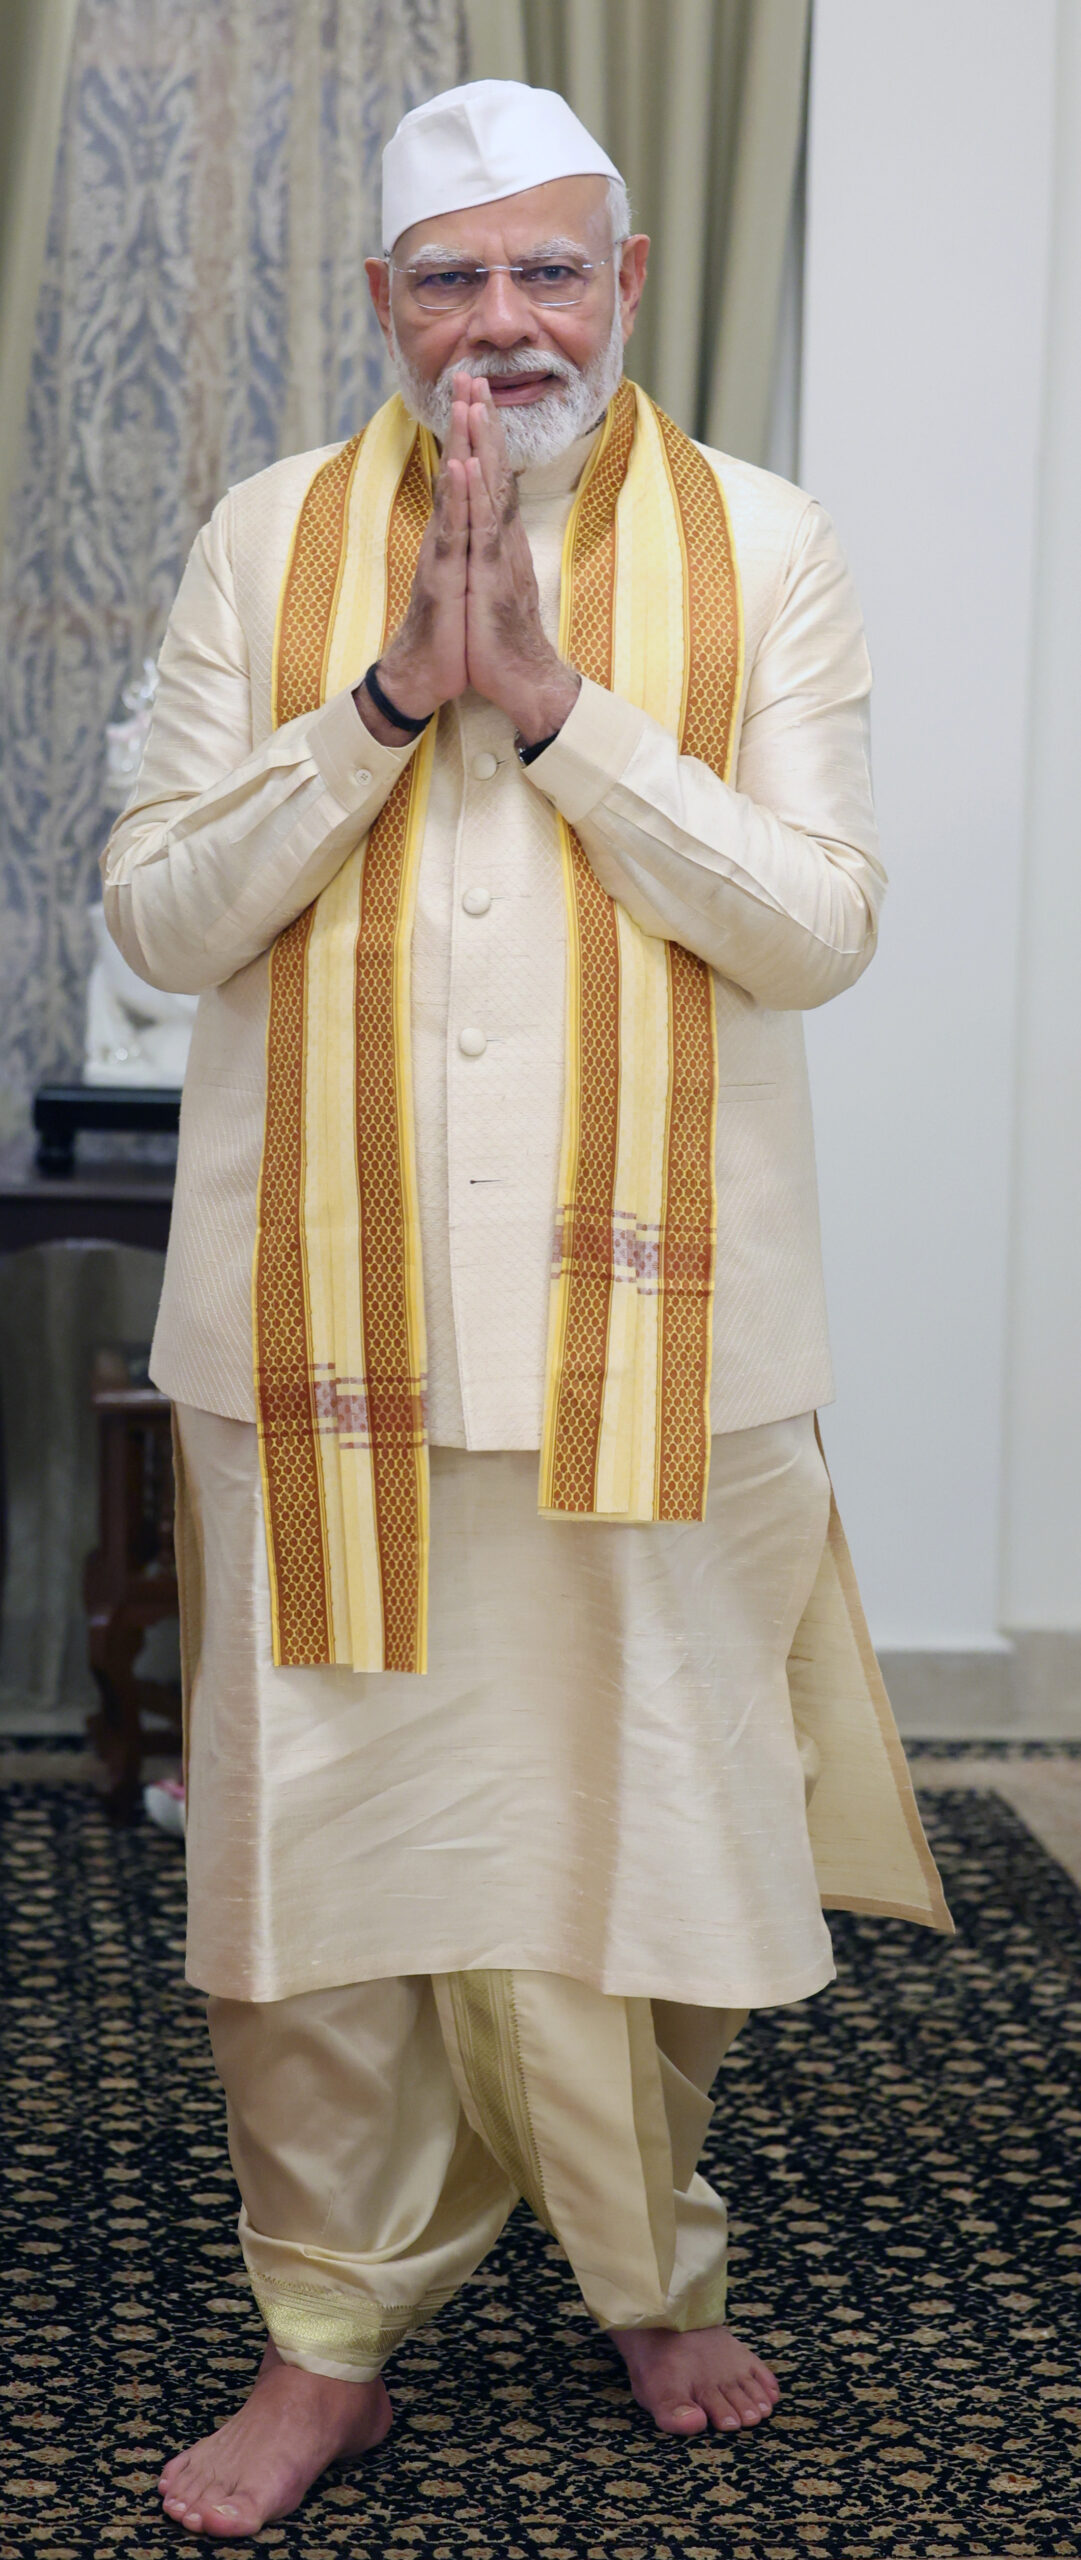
[265, 2459]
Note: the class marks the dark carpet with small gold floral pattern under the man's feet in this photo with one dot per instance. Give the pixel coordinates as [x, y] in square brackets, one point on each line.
[908, 2252]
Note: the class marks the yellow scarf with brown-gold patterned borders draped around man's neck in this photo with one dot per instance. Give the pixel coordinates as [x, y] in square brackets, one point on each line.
[652, 611]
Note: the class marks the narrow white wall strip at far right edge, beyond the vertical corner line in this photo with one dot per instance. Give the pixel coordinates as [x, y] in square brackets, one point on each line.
[1041, 1563]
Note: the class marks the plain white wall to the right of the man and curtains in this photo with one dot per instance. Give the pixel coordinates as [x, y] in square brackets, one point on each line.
[926, 413]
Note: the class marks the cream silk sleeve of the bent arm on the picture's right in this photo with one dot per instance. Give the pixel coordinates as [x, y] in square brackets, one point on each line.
[775, 882]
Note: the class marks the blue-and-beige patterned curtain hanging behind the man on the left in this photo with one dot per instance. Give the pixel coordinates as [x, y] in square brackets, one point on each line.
[204, 311]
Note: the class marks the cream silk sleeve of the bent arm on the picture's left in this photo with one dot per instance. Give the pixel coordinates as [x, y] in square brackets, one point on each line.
[227, 844]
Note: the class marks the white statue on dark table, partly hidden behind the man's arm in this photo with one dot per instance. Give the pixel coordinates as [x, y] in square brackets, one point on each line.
[134, 1033]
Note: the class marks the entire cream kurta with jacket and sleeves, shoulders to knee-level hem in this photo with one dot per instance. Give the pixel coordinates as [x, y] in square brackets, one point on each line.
[601, 1773]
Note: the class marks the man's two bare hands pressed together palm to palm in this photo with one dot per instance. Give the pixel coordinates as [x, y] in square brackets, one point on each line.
[475, 613]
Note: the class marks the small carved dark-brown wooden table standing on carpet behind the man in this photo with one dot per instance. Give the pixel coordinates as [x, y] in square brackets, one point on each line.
[132, 1581]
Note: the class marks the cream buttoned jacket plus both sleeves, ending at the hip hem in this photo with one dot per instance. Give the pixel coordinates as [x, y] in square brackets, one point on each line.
[775, 882]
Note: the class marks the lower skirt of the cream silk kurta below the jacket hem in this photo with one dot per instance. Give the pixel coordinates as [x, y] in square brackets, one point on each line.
[596, 1778]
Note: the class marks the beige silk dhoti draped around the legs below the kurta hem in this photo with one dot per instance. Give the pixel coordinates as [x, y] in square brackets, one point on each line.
[383, 2134]
